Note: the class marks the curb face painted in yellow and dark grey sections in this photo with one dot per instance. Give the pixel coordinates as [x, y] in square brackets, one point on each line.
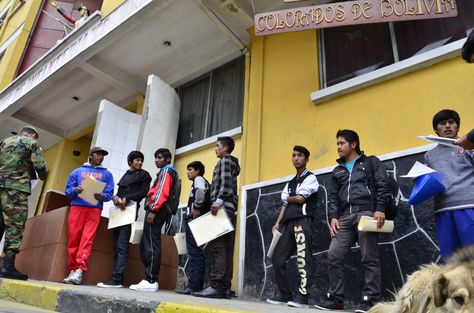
[64, 299]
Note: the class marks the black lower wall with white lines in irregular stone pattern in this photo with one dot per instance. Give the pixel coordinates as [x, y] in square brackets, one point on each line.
[411, 244]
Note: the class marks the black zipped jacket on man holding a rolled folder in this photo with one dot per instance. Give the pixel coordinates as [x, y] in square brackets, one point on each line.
[349, 192]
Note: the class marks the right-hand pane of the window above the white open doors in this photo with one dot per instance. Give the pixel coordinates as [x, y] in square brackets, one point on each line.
[227, 94]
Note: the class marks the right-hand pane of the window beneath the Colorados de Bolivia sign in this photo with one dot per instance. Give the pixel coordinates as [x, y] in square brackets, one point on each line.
[415, 37]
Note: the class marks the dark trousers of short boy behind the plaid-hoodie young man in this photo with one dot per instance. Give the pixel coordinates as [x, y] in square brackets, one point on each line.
[195, 262]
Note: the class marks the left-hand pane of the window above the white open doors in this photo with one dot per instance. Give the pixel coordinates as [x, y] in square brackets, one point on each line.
[192, 115]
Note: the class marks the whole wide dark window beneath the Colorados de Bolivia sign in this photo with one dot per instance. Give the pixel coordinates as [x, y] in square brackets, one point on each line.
[351, 51]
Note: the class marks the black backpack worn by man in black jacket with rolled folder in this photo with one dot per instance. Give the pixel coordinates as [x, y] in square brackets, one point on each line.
[391, 208]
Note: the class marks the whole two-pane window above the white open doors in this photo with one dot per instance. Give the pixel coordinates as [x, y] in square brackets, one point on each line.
[212, 104]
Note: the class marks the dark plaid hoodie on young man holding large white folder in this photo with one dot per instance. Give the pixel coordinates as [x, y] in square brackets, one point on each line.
[224, 182]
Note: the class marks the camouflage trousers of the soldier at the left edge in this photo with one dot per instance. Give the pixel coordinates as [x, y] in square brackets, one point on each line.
[14, 208]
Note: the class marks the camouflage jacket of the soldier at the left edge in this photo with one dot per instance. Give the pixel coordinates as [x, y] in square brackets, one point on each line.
[20, 159]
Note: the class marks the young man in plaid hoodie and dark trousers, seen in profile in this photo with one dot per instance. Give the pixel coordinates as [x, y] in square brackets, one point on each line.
[223, 196]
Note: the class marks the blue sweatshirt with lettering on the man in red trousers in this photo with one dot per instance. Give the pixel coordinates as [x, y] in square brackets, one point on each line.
[76, 178]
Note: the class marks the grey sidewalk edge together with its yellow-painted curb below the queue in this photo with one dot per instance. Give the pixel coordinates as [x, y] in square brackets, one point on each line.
[81, 299]
